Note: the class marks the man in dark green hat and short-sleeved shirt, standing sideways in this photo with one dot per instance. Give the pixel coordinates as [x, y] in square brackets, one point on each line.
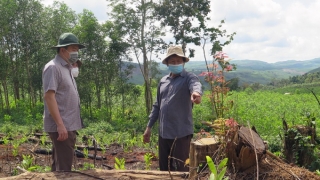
[61, 102]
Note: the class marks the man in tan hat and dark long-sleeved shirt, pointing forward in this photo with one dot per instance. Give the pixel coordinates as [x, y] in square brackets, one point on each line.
[176, 94]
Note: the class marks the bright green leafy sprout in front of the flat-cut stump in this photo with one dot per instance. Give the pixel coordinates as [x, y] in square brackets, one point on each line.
[217, 173]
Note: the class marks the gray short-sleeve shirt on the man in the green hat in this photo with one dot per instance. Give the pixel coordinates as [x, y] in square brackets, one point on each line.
[57, 76]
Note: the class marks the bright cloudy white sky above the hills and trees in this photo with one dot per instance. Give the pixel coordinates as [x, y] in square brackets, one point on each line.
[266, 30]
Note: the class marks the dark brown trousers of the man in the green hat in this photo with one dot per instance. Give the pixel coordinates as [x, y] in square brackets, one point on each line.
[62, 151]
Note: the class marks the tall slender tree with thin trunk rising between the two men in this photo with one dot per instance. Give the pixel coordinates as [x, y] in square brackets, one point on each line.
[137, 21]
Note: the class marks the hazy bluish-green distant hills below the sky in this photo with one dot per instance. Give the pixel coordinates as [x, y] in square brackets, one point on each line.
[249, 71]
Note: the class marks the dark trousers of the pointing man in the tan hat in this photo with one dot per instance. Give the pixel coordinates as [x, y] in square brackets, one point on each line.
[179, 153]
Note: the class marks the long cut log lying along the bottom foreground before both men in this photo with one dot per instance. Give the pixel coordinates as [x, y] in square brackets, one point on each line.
[100, 174]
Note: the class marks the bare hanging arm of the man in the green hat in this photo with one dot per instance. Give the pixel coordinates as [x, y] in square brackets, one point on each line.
[52, 105]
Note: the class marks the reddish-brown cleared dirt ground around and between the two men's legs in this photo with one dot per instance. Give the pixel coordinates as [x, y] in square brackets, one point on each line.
[134, 159]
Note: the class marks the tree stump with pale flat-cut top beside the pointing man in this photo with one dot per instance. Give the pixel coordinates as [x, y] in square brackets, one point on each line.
[198, 151]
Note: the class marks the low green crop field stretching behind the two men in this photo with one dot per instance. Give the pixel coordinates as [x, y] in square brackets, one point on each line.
[263, 109]
